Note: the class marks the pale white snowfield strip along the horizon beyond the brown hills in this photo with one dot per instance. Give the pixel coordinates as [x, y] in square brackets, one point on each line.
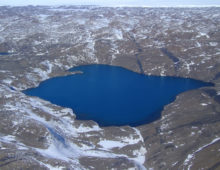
[116, 3]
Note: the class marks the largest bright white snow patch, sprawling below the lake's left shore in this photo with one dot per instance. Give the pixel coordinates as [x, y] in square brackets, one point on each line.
[61, 131]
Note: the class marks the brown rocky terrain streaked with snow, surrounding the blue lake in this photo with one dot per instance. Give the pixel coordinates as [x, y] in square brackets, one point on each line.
[37, 43]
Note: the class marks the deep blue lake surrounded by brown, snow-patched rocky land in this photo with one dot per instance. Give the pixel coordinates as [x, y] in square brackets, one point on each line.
[113, 95]
